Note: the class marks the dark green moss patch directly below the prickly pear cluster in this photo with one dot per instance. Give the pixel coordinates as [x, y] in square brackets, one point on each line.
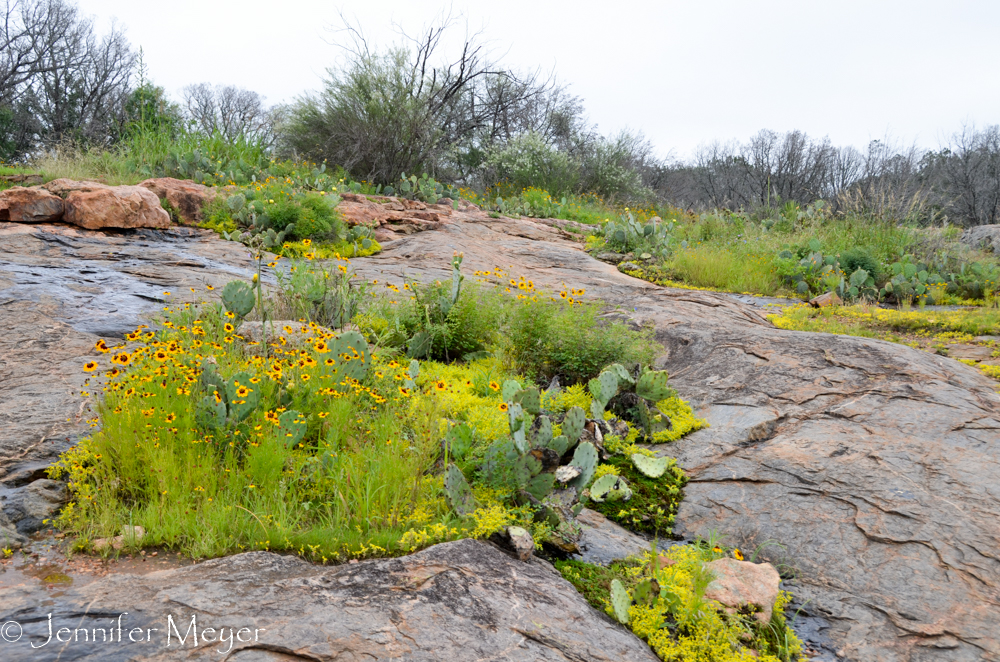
[654, 501]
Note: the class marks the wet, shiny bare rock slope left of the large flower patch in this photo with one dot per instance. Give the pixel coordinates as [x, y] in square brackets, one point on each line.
[61, 289]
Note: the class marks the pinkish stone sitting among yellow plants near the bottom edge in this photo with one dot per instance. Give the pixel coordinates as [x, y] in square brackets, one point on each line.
[740, 583]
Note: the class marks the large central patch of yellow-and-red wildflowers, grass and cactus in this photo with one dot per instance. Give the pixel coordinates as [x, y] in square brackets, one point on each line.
[309, 440]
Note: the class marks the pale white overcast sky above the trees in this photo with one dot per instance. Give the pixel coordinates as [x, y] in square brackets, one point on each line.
[684, 72]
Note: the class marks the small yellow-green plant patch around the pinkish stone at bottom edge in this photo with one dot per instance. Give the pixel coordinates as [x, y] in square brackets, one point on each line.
[663, 603]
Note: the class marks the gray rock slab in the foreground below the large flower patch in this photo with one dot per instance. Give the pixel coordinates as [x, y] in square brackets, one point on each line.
[459, 601]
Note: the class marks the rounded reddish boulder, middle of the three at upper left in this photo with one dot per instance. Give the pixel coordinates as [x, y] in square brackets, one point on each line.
[115, 207]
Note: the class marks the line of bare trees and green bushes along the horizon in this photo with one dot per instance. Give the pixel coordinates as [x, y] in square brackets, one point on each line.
[467, 119]
